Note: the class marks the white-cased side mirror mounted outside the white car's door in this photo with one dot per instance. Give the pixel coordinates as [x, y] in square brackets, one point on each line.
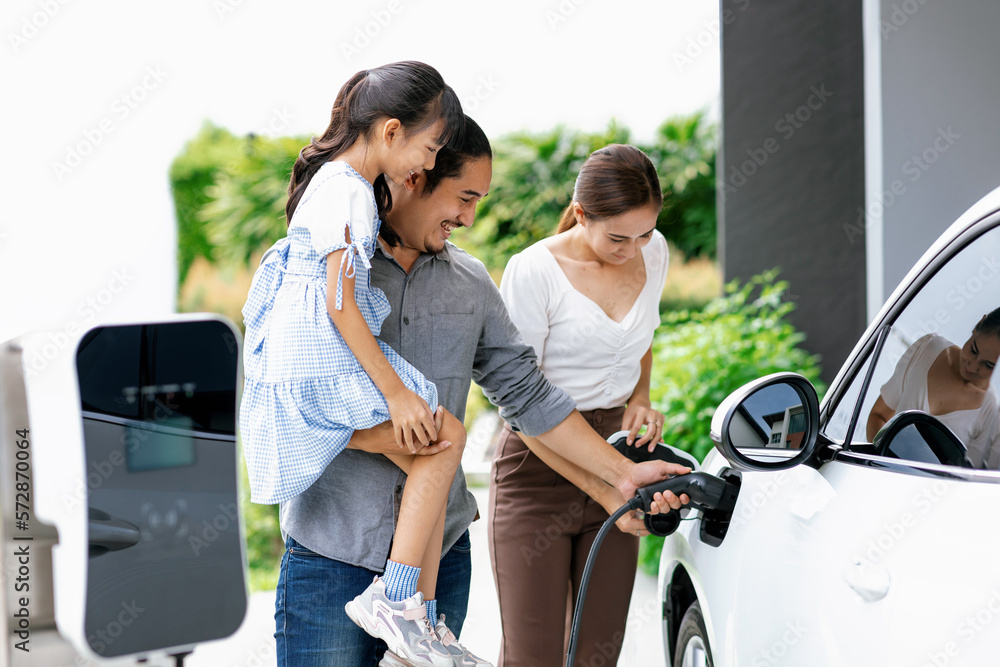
[771, 423]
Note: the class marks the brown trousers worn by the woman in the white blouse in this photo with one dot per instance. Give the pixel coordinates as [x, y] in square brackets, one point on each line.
[540, 530]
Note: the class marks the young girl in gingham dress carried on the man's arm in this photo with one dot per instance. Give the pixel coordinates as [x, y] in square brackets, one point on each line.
[315, 372]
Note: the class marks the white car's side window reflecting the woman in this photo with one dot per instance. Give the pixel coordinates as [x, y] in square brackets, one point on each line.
[919, 366]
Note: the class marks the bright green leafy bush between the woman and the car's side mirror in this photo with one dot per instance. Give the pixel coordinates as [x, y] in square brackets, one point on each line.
[699, 358]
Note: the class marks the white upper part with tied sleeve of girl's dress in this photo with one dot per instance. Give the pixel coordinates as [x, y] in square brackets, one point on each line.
[341, 202]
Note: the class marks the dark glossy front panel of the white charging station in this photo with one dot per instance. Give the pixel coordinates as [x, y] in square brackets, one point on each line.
[165, 566]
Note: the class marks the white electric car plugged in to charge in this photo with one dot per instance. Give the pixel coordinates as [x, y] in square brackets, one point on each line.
[844, 549]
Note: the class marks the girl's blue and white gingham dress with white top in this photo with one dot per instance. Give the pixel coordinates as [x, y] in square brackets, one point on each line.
[304, 391]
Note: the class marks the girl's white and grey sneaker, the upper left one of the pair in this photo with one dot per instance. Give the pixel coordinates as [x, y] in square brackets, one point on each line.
[401, 625]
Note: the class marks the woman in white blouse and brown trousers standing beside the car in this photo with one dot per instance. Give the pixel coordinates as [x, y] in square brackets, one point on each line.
[587, 300]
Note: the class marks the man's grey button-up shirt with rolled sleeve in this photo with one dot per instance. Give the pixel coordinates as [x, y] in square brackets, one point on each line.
[449, 321]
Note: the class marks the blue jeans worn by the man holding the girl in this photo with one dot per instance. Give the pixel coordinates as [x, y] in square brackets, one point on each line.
[313, 630]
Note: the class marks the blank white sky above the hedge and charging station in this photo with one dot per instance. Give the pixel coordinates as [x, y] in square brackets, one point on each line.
[129, 82]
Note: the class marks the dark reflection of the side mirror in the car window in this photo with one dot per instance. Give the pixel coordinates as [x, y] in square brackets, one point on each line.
[914, 435]
